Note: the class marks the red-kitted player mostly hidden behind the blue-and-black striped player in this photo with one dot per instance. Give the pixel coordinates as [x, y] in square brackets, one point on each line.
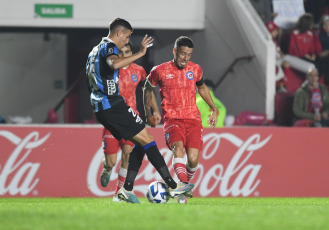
[130, 77]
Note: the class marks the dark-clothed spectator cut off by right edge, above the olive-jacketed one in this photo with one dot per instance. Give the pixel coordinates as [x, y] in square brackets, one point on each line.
[324, 55]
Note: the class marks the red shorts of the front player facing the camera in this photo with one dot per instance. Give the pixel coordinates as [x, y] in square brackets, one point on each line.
[188, 131]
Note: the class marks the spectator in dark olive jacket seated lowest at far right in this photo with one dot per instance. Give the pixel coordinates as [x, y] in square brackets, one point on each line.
[311, 102]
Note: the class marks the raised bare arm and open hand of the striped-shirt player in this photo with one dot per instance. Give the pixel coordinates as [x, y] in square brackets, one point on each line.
[116, 63]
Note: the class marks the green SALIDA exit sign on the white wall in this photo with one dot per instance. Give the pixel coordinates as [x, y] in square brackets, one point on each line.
[54, 10]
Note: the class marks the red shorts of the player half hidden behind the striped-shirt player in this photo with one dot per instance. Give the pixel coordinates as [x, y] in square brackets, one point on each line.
[112, 145]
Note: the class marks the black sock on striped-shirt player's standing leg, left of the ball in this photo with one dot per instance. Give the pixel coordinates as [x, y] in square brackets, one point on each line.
[135, 161]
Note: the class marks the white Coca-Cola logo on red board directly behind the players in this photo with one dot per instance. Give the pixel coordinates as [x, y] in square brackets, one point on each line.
[238, 178]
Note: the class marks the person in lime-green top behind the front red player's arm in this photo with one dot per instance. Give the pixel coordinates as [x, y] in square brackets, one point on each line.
[205, 109]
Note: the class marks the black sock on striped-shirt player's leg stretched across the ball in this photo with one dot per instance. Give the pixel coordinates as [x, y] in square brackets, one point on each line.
[159, 164]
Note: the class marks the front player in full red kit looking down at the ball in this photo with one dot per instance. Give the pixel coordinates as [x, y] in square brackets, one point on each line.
[178, 80]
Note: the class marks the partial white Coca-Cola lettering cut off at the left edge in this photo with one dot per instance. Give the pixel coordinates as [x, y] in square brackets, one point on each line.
[17, 163]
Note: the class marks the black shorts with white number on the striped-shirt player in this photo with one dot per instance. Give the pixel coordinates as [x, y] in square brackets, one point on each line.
[121, 120]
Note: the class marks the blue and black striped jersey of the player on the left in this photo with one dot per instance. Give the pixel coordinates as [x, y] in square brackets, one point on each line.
[103, 82]
